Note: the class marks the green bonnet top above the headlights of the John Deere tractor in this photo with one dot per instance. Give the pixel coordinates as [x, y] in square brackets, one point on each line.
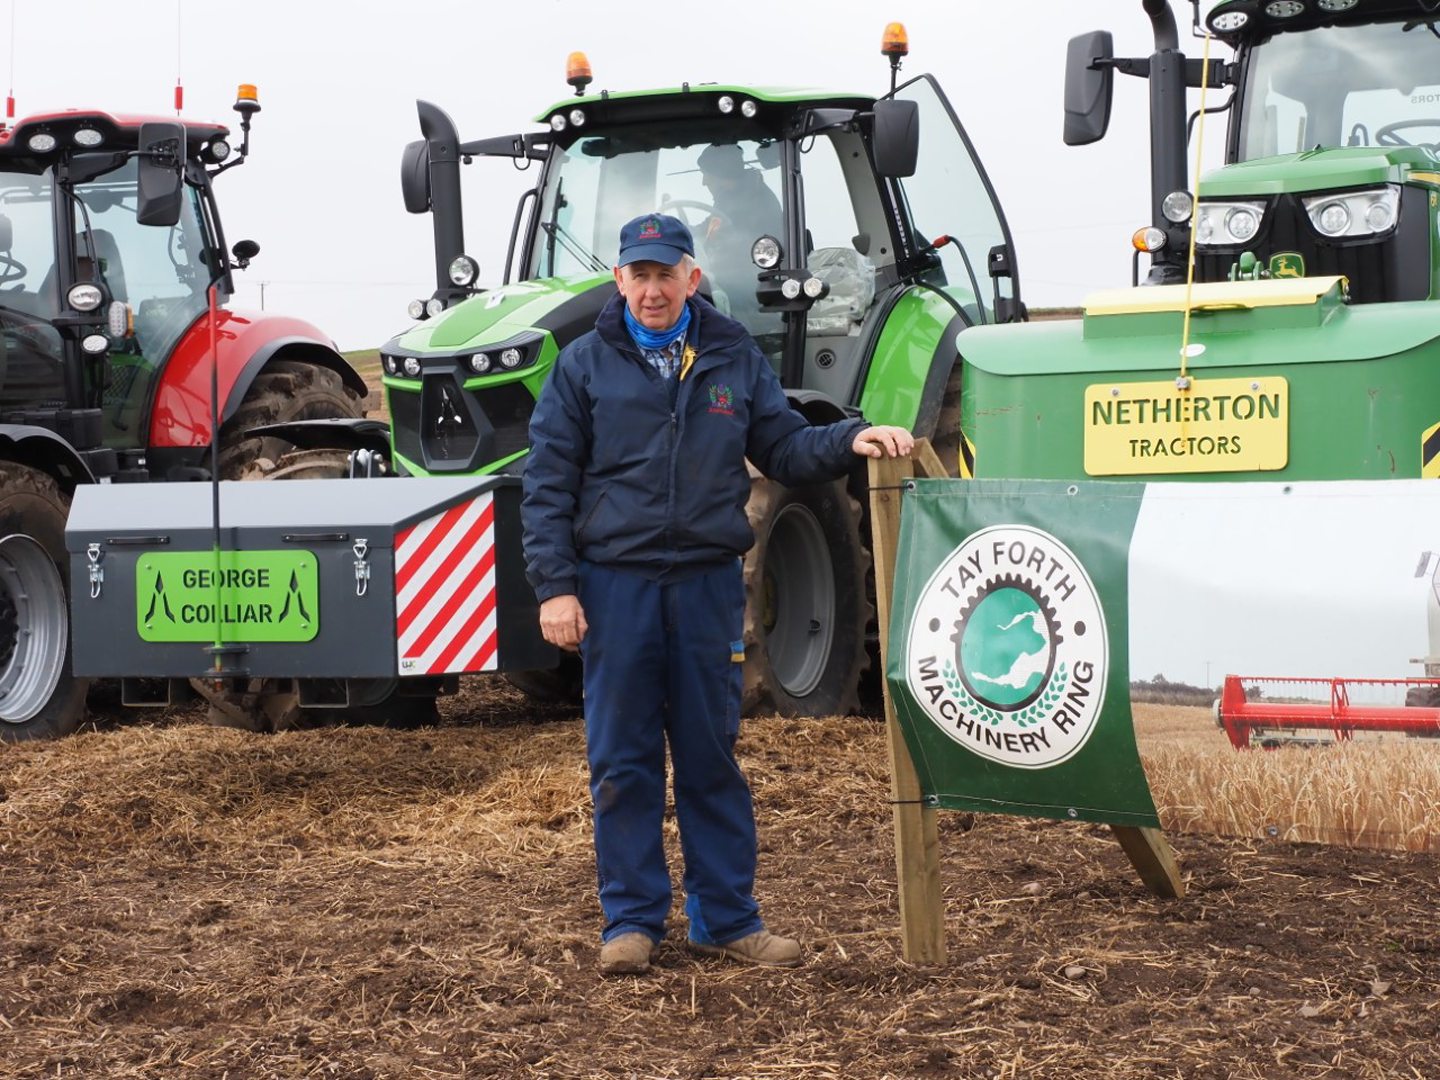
[1315, 171]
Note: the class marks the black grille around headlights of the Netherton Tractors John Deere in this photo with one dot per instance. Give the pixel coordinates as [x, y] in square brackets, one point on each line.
[1396, 267]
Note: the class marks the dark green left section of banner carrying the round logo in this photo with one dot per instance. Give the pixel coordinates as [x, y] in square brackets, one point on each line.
[1009, 660]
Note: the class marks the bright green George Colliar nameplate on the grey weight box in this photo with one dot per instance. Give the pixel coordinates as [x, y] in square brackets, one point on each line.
[258, 597]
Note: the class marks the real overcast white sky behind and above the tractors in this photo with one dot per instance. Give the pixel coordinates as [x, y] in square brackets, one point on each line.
[339, 83]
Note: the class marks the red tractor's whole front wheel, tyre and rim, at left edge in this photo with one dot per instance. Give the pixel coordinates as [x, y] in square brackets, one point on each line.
[40, 695]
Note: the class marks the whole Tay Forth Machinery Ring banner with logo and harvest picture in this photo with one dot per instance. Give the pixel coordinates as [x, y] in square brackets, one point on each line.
[1251, 659]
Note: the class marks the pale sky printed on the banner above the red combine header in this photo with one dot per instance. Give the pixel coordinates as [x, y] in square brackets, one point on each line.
[1281, 580]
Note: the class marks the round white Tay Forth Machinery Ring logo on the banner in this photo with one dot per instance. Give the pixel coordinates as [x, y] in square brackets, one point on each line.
[1007, 650]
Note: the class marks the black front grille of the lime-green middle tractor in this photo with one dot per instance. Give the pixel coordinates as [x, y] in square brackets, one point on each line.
[450, 430]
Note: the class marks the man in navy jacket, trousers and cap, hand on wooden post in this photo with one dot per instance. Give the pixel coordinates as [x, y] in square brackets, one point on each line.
[634, 522]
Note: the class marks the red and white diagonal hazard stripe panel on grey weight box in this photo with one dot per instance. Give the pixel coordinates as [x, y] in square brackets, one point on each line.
[446, 591]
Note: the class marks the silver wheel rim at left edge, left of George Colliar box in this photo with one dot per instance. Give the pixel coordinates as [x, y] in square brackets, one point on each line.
[34, 629]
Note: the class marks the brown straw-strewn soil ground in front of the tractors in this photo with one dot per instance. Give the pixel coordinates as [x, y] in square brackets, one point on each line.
[191, 902]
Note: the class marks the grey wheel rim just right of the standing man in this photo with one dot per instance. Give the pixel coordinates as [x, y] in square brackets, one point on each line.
[800, 591]
